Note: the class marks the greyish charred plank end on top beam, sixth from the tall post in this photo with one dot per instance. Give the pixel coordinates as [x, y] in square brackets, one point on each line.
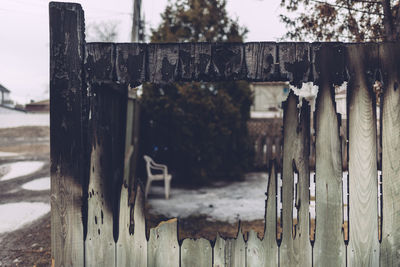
[261, 61]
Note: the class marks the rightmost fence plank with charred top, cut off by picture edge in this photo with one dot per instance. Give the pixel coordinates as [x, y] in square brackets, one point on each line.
[390, 108]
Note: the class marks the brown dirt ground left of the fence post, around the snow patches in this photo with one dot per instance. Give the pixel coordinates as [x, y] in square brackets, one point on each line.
[29, 245]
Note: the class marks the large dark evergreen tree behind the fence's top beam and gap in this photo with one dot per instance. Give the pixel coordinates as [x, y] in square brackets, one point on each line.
[198, 129]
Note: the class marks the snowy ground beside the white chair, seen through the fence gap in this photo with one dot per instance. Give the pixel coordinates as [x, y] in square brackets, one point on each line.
[225, 202]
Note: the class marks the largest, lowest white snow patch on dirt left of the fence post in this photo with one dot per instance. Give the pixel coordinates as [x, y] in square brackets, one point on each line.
[15, 215]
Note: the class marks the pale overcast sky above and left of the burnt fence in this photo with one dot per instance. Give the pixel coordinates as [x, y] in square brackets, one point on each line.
[24, 33]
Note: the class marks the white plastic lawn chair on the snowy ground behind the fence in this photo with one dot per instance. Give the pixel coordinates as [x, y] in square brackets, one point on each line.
[151, 165]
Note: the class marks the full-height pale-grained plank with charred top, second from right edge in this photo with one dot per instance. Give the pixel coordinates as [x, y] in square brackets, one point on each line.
[363, 248]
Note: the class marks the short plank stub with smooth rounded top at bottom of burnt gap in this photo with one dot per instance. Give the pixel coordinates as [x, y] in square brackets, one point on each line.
[196, 253]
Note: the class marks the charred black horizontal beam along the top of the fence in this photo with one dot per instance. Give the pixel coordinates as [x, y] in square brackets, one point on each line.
[135, 63]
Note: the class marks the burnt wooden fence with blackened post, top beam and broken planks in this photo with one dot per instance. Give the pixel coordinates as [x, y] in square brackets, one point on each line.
[97, 206]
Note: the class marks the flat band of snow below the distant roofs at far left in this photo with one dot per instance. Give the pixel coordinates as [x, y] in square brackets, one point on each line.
[24, 119]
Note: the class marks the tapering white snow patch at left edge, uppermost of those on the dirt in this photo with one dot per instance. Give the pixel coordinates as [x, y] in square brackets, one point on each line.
[18, 169]
